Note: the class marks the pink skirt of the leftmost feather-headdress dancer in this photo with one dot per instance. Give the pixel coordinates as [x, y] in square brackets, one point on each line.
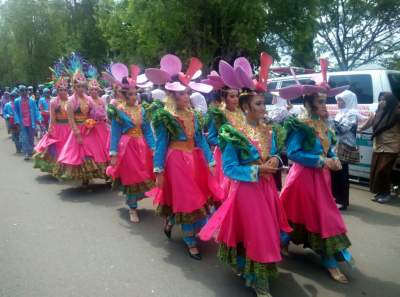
[56, 139]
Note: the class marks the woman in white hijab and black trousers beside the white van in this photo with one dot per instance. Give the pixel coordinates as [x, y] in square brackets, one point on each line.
[345, 125]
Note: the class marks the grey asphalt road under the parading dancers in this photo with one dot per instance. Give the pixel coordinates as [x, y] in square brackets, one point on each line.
[59, 240]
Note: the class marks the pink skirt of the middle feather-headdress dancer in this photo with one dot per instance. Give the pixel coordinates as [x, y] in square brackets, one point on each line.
[92, 147]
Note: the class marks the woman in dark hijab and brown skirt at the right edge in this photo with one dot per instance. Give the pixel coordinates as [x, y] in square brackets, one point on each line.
[386, 145]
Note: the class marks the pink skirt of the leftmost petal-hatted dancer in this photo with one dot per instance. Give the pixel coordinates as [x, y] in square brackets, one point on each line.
[135, 162]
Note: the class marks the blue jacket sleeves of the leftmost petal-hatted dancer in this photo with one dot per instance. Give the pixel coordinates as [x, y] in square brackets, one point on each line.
[118, 128]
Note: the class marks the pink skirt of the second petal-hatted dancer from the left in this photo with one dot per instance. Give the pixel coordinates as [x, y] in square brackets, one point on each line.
[187, 182]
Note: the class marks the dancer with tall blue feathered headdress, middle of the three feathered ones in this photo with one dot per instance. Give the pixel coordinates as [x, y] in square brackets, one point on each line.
[83, 156]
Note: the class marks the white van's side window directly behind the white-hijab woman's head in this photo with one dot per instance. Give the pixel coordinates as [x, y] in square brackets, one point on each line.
[360, 84]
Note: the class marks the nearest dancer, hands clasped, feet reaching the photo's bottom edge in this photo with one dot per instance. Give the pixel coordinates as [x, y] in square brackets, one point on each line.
[249, 224]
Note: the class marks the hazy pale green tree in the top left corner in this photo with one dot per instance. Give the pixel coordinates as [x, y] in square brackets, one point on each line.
[33, 38]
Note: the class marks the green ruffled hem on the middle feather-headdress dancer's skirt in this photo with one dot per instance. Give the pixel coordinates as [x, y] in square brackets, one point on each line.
[84, 172]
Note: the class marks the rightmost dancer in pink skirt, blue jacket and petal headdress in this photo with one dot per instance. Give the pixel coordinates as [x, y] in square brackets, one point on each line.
[311, 209]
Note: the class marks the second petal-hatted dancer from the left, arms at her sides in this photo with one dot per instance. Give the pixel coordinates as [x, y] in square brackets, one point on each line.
[182, 159]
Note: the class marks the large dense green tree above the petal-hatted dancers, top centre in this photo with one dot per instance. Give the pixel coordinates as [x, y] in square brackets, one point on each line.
[145, 30]
